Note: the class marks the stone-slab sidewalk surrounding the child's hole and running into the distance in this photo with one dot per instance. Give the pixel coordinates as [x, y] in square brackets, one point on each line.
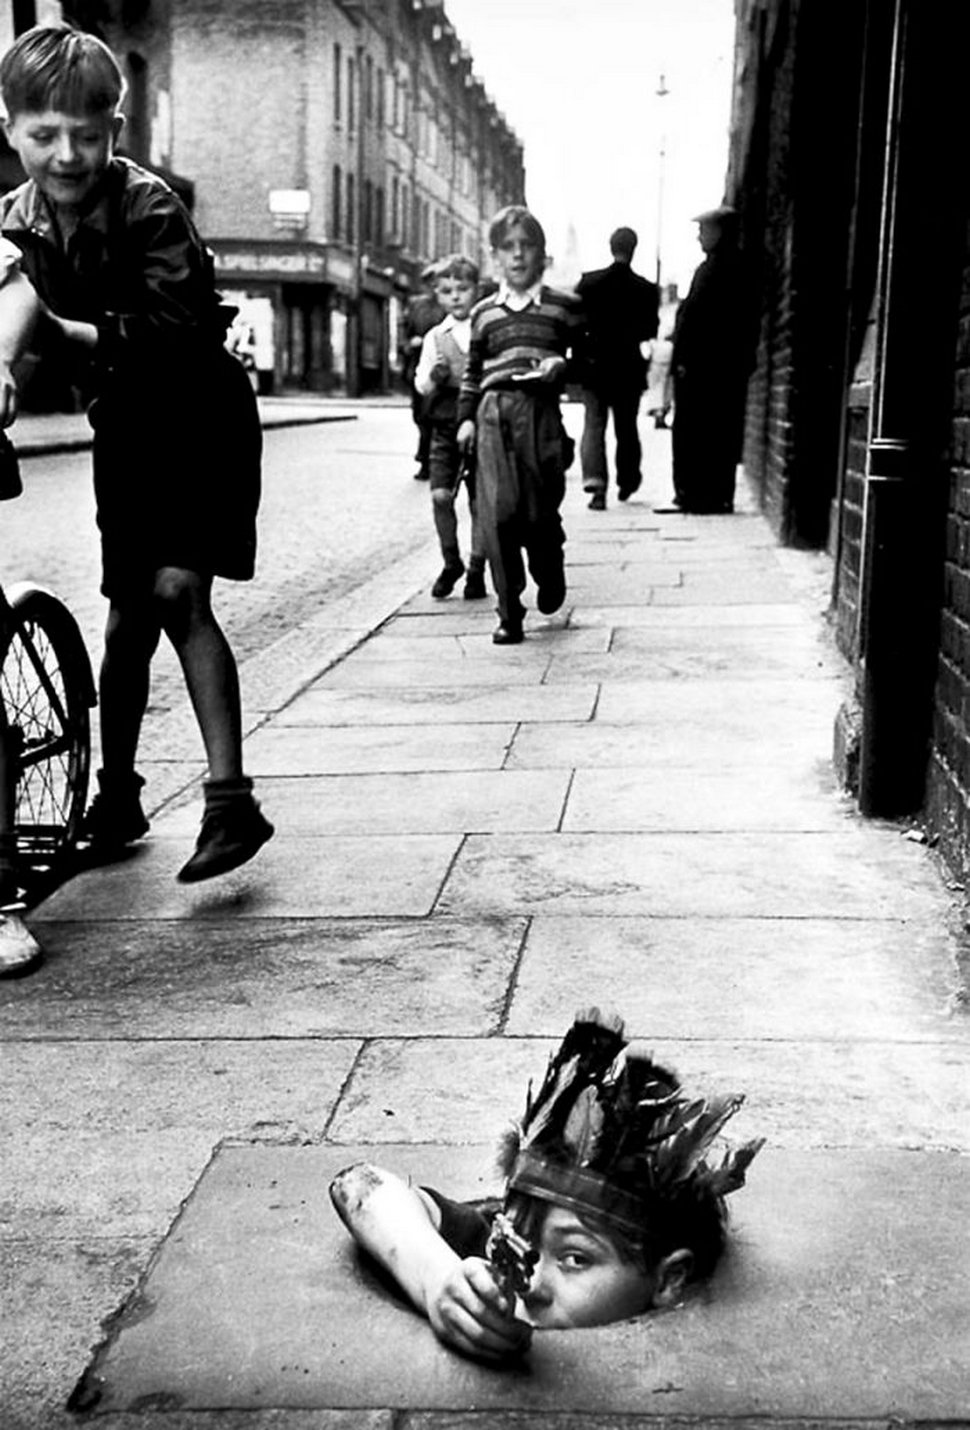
[635, 809]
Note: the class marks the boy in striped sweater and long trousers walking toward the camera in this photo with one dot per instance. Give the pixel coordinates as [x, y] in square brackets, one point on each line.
[509, 408]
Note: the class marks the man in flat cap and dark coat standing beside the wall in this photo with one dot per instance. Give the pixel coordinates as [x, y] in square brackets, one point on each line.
[715, 348]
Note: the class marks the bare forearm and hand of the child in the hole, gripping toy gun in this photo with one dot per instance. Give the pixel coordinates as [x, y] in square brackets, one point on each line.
[398, 1226]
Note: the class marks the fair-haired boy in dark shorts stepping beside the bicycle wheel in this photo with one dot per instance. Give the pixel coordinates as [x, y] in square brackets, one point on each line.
[129, 297]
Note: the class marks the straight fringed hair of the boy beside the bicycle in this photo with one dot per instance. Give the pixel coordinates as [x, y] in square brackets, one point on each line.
[59, 68]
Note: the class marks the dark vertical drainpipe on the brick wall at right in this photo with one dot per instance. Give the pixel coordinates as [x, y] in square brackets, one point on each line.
[892, 634]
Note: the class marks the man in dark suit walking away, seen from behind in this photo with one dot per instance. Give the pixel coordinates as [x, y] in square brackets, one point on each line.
[622, 312]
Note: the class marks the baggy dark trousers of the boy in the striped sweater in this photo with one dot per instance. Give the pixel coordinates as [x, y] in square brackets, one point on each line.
[520, 487]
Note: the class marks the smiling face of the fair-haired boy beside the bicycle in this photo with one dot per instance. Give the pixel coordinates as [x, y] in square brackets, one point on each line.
[65, 155]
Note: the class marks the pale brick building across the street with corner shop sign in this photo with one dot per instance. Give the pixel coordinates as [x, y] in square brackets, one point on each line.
[331, 149]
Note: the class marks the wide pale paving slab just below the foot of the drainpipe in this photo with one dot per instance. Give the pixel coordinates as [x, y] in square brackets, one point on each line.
[859, 874]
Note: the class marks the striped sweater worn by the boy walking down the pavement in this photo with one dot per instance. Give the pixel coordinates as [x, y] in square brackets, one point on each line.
[507, 342]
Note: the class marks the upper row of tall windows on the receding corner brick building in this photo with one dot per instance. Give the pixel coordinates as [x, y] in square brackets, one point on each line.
[388, 101]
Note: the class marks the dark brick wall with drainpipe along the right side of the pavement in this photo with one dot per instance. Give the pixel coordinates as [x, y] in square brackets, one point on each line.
[846, 165]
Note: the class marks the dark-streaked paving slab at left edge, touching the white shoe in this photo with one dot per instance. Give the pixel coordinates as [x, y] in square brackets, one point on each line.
[267, 979]
